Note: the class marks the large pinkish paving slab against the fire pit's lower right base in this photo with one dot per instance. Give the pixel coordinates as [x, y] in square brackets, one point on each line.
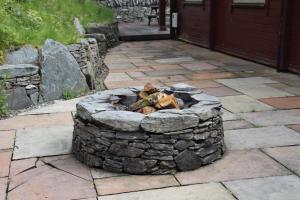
[234, 166]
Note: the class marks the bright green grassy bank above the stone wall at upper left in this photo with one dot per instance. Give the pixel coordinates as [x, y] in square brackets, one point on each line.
[32, 21]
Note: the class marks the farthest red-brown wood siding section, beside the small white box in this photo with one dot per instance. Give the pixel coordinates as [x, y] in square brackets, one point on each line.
[194, 22]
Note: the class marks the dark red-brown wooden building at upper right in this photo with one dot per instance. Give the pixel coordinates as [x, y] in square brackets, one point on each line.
[265, 31]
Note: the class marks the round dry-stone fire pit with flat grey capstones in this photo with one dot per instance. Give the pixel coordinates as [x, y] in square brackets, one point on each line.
[108, 136]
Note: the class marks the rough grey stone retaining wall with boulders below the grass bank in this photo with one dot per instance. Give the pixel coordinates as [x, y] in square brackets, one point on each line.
[33, 75]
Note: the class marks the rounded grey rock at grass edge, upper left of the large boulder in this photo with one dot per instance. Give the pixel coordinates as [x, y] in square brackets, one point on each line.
[25, 55]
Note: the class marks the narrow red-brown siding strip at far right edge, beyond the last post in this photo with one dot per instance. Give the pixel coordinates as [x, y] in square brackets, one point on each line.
[293, 35]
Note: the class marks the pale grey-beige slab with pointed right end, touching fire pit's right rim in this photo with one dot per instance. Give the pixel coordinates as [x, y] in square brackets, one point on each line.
[243, 103]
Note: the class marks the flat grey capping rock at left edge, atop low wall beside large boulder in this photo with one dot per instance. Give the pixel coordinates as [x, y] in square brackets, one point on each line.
[18, 70]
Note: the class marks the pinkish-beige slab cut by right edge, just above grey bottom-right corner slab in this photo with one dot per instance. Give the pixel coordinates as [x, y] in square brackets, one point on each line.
[288, 156]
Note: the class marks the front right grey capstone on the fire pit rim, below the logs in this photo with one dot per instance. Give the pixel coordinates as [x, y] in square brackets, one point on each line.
[161, 122]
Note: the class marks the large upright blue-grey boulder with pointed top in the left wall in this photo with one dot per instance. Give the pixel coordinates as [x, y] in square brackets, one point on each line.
[59, 72]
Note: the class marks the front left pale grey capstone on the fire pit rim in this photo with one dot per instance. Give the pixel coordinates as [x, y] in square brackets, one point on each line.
[120, 120]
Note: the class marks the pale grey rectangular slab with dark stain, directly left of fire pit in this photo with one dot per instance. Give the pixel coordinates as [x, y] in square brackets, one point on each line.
[37, 142]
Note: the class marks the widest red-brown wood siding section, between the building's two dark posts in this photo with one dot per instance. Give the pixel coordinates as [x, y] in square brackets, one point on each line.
[248, 32]
